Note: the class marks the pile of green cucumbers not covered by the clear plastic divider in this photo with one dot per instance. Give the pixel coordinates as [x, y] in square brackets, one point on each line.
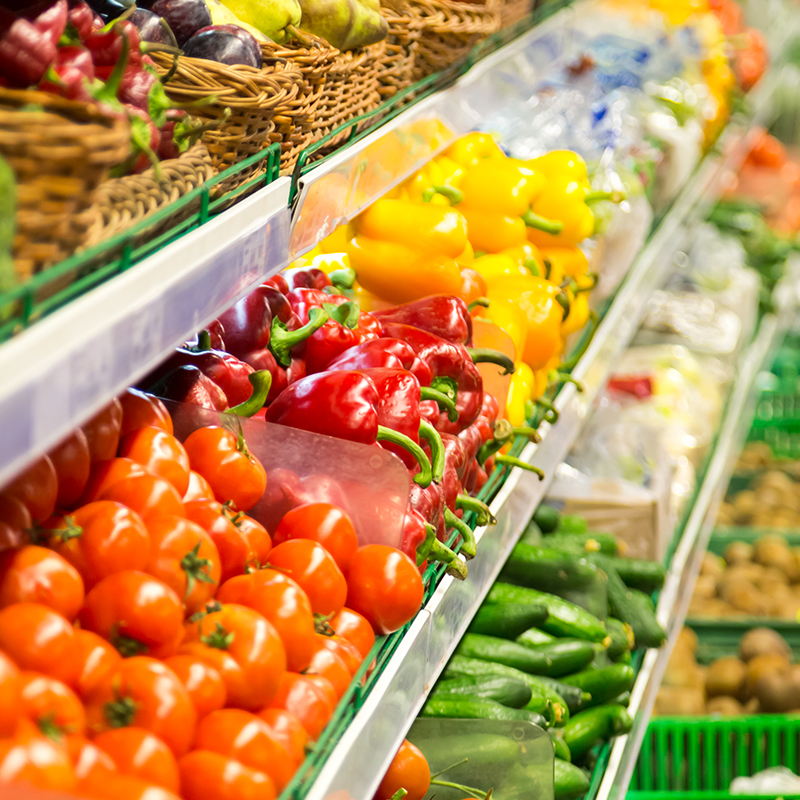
[552, 643]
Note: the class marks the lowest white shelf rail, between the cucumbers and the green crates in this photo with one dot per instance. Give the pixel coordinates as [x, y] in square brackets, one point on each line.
[682, 574]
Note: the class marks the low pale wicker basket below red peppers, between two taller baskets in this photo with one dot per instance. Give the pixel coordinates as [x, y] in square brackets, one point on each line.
[122, 202]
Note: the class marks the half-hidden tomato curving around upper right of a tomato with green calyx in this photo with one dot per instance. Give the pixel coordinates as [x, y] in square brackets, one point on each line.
[284, 604]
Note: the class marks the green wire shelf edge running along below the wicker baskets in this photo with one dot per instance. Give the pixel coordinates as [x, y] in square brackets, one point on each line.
[21, 306]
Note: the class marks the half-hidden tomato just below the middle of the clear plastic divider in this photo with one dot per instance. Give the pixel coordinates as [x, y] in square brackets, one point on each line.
[325, 524]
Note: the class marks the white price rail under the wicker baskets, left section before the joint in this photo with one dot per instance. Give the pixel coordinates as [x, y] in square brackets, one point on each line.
[62, 370]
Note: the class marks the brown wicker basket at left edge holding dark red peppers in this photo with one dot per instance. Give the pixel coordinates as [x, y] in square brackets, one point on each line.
[60, 152]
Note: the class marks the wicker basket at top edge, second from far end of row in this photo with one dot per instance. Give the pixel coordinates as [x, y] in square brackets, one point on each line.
[450, 31]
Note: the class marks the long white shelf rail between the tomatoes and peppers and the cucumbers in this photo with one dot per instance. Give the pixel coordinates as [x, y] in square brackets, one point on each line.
[393, 703]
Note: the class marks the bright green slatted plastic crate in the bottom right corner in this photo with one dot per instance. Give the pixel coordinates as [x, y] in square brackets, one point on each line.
[698, 757]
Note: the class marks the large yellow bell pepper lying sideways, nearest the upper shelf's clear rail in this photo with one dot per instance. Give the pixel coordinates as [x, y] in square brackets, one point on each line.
[402, 251]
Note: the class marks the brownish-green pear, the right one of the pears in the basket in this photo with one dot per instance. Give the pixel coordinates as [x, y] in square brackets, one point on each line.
[346, 24]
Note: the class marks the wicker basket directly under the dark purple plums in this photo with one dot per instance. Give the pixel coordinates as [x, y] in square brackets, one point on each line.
[246, 101]
